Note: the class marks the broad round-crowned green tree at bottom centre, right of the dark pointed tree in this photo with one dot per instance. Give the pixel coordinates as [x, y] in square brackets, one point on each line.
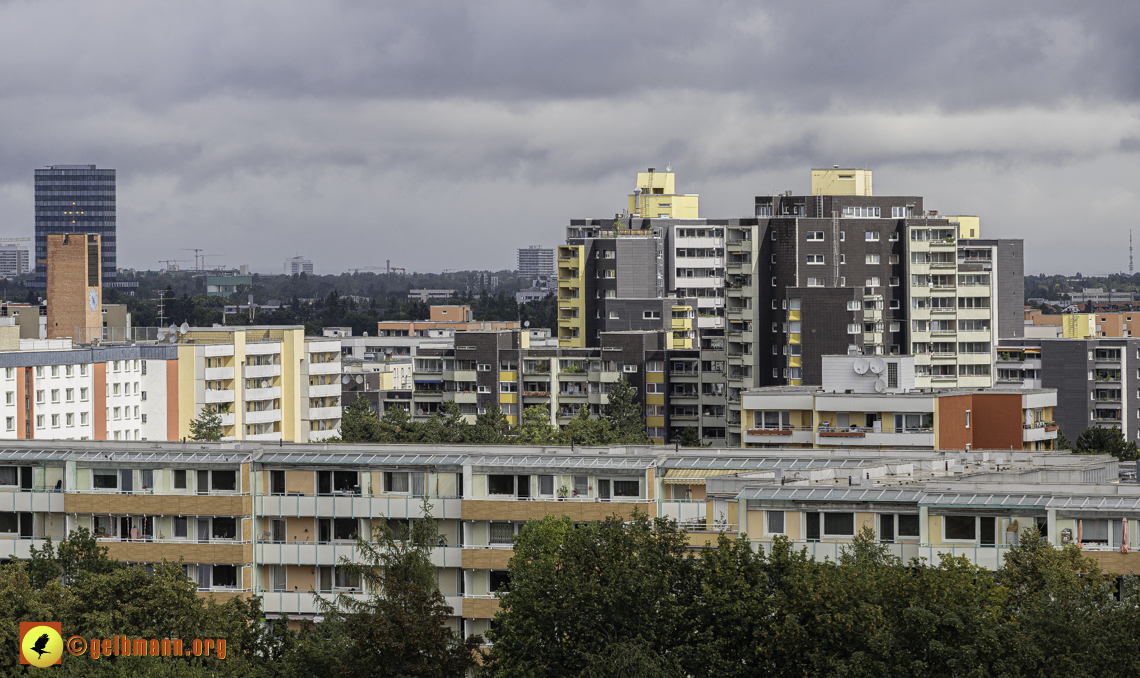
[577, 593]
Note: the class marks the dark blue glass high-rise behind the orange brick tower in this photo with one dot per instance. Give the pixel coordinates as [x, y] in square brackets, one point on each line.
[76, 200]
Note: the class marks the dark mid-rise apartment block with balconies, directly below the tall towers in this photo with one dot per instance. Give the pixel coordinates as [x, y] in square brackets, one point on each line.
[677, 387]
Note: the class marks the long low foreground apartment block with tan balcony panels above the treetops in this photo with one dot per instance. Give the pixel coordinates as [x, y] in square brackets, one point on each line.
[270, 520]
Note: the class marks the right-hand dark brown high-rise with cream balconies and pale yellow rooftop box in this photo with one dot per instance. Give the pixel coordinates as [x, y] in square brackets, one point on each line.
[852, 273]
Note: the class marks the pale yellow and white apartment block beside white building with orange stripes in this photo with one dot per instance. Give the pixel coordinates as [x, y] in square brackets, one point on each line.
[267, 383]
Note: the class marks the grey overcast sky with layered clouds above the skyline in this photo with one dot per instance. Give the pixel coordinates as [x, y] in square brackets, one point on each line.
[446, 135]
